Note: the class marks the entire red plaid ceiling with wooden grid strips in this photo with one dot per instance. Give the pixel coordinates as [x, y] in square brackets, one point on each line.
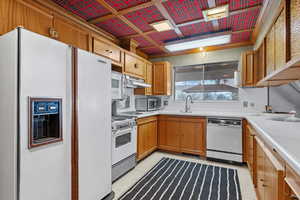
[241, 21]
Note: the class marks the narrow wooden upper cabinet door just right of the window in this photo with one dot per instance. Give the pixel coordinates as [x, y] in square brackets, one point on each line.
[248, 68]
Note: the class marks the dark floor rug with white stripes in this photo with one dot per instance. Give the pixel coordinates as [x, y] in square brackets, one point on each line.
[172, 179]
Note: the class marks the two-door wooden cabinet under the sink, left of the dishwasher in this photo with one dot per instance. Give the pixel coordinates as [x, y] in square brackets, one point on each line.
[182, 134]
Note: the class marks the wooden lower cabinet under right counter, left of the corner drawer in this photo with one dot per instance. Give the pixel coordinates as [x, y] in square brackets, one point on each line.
[270, 173]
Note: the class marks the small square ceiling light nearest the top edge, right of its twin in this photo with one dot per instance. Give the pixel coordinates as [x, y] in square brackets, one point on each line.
[216, 13]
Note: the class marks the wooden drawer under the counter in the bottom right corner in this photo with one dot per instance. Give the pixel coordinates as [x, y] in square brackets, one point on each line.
[292, 179]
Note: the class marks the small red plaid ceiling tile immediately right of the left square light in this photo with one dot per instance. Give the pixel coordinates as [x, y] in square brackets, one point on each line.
[195, 29]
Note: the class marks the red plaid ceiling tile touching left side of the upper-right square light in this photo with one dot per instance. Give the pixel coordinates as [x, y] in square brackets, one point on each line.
[185, 10]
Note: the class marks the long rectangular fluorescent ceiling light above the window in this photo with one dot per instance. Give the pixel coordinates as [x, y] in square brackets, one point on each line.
[211, 41]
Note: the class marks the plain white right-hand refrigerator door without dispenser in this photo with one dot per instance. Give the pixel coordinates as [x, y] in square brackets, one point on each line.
[94, 126]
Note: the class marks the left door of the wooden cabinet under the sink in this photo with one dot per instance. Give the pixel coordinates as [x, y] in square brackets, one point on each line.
[169, 134]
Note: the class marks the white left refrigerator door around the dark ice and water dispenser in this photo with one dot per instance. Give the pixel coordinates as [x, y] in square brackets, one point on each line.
[44, 171]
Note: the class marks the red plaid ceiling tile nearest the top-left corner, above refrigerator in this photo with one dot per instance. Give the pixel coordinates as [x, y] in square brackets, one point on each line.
[86, 9]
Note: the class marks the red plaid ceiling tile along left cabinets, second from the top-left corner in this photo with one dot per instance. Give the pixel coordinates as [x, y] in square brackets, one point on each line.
[116, 27]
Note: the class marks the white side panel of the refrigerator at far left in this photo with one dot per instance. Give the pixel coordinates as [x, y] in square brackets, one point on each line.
[8, 115]
